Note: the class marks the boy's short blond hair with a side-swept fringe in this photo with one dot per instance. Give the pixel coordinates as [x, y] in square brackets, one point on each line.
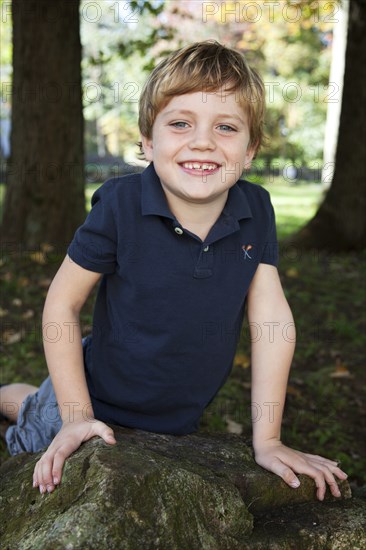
[204, 66]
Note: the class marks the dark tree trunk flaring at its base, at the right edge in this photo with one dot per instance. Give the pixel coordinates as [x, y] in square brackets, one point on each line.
[340, 223]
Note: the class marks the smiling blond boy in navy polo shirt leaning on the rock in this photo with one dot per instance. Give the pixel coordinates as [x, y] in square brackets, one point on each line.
[178, 251]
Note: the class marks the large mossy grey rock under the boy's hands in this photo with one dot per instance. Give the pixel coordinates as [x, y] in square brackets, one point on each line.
[157, 491]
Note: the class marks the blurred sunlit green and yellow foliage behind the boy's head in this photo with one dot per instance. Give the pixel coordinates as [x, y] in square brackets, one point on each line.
[122, 41]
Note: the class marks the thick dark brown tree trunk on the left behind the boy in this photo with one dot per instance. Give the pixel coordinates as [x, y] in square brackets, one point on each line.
[44, 200]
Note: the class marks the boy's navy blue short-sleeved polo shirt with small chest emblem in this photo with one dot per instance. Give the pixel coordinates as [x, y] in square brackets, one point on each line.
[170, 306]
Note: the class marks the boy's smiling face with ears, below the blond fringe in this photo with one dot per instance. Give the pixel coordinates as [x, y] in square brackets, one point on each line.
[199, 146]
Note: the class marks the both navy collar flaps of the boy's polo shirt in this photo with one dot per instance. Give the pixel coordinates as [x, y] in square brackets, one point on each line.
[153, 200]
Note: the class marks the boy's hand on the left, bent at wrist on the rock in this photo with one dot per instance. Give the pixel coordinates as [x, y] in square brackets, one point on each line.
[48, 470]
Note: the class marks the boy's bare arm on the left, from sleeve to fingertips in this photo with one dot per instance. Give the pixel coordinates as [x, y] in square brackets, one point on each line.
[63, 349]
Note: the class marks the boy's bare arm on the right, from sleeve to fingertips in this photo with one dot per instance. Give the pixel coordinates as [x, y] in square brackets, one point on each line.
[273, 343]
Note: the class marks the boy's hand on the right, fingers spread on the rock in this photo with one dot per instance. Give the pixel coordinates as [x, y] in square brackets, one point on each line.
[283, 461]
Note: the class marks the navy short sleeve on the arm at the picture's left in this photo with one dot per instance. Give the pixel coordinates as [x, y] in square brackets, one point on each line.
[94, 245]
